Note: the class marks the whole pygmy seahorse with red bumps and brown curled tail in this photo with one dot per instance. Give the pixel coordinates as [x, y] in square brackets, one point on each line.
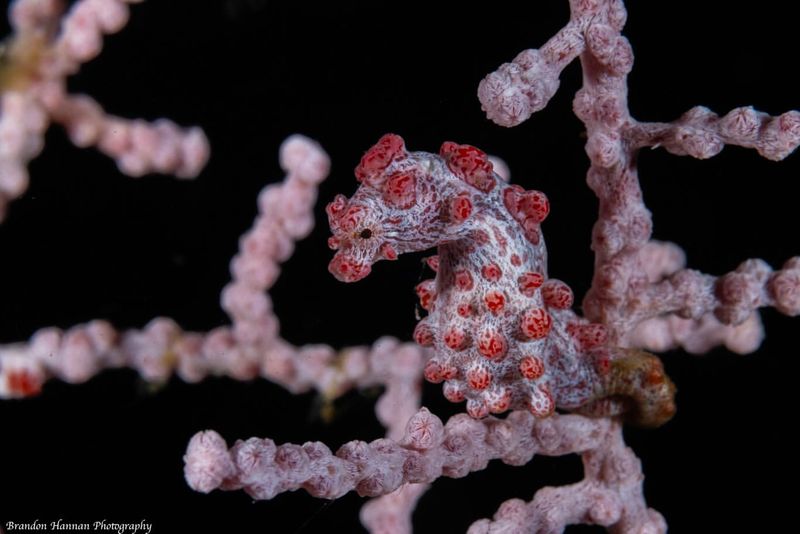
[503, 333]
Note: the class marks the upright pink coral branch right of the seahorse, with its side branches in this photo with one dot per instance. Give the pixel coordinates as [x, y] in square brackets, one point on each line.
[623, 295]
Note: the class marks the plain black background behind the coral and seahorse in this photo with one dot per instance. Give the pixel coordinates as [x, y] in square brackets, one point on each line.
[86, 242]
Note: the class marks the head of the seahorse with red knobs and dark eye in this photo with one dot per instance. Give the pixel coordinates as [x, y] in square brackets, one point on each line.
[407, 201]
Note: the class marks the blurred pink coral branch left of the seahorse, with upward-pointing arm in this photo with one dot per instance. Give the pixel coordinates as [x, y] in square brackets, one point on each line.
[243, 351]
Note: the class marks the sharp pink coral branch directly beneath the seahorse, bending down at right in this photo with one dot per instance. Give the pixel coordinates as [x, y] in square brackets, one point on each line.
[610, 495]
